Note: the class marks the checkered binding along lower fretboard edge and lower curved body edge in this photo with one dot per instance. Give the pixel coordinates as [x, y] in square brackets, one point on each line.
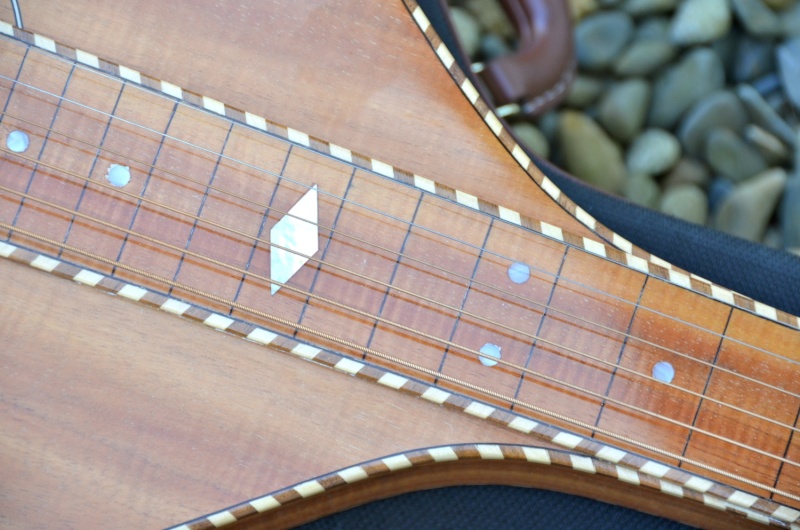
[585, 454]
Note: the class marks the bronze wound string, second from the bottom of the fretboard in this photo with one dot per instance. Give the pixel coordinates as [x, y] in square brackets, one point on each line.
[446, 342]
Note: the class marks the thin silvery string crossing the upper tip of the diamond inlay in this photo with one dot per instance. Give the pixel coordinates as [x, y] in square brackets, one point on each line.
[557, 277]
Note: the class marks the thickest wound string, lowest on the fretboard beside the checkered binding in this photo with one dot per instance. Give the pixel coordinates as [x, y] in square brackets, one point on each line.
[407, 364]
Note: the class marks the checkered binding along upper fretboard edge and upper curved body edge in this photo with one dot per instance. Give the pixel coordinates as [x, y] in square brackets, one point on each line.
[618, 248]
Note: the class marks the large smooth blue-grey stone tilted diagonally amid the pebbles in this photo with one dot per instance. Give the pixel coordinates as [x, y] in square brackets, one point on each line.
[698, 74]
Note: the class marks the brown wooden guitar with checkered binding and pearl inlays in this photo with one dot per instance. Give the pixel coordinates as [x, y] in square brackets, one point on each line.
[332, 268]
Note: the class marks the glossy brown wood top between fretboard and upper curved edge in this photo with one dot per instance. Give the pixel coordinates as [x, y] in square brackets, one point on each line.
[375, 87]
